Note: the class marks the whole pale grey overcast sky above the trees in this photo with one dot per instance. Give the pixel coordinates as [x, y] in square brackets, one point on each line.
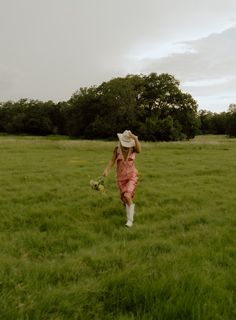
[51, 48]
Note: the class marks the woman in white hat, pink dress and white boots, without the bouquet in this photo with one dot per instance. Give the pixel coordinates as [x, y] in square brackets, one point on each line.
[126, 173]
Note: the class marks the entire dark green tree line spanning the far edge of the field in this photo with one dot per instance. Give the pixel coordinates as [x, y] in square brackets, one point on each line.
[152, 106]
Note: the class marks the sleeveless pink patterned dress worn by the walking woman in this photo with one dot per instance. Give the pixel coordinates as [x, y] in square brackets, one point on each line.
[127, 174]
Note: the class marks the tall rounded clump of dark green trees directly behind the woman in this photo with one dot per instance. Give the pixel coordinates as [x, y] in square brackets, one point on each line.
[153, 106]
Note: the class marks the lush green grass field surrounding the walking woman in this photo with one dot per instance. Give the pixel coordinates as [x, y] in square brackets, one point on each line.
[64, 250]
